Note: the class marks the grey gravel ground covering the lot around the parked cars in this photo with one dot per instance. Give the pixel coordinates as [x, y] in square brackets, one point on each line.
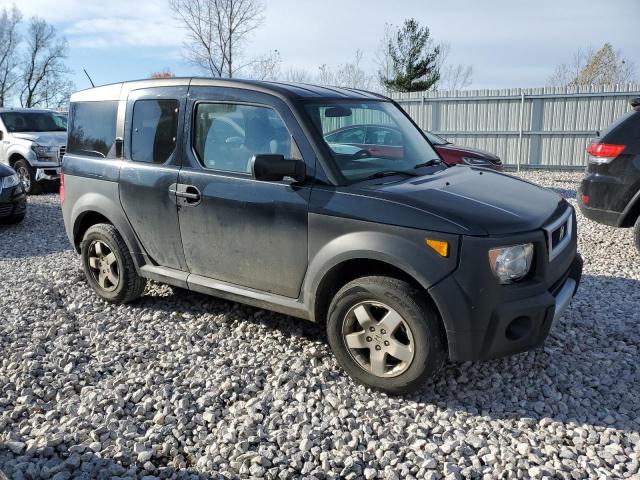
[188, 386]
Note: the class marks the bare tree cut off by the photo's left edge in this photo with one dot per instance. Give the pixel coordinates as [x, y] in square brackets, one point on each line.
[9, 40]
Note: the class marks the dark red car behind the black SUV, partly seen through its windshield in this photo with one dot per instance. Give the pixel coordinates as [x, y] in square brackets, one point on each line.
[386, 141]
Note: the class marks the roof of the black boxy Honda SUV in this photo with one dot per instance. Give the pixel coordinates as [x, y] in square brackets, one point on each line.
[117, 91]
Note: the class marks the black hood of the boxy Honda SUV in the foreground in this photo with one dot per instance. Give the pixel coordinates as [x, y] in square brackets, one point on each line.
[468, 200]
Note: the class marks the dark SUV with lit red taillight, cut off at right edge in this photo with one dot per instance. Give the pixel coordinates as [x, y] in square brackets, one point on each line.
[610, 191]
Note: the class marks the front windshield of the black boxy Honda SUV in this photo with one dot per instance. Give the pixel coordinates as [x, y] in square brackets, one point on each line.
[371, 138]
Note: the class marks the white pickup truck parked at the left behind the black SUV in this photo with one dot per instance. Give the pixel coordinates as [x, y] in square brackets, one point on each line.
[33, 142]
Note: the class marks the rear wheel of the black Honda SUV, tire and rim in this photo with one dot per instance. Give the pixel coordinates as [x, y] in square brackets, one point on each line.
[108, 265]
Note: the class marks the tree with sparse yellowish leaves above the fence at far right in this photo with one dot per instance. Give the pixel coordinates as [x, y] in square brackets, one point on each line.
[606, 66]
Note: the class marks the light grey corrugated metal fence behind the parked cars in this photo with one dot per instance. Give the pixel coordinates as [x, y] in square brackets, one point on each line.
[535, 127]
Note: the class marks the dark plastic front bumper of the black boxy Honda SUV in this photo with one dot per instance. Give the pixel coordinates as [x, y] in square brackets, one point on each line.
[484, 319]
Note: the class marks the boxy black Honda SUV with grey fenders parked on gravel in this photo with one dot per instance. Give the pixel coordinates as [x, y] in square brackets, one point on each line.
[229, 188]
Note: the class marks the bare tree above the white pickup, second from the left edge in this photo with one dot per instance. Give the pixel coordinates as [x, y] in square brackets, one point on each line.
[43, 70]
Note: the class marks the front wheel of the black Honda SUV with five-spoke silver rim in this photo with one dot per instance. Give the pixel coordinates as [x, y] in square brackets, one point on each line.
[419, 333]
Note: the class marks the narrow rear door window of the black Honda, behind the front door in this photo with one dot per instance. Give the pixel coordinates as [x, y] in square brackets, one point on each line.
[153, 130]
